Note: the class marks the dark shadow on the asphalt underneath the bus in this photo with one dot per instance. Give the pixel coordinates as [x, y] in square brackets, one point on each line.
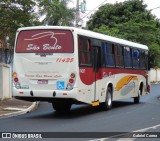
[77, 111]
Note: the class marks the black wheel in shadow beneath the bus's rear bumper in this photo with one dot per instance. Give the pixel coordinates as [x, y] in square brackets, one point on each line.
[61, 106]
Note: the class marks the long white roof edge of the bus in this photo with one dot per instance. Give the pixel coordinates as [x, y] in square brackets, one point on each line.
[92, 35]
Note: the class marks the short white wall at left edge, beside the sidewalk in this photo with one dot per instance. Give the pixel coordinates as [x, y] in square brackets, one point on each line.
[5, 91]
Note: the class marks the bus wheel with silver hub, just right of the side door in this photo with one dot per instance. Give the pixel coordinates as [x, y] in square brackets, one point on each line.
[107, 105]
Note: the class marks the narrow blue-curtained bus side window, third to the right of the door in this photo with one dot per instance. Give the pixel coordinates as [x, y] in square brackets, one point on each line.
[127, 57]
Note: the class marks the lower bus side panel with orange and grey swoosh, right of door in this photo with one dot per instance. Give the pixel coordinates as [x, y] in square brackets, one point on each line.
[125, 85]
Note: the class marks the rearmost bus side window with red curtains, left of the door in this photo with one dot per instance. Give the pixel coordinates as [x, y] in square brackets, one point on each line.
[84, 46]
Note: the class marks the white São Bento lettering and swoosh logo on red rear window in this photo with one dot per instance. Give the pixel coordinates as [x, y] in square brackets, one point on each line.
[42, 38]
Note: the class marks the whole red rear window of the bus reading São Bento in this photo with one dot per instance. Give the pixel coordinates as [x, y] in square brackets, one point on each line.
[45, 41]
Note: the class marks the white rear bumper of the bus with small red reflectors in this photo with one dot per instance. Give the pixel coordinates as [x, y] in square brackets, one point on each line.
[43, 95]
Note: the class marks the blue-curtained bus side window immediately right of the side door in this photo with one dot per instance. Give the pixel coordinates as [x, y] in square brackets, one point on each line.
[108, 49]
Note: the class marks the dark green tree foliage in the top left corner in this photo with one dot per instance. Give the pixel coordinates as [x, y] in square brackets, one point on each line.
[15, 14]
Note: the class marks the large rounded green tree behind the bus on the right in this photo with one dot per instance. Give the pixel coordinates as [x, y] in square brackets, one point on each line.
[132, 21]
